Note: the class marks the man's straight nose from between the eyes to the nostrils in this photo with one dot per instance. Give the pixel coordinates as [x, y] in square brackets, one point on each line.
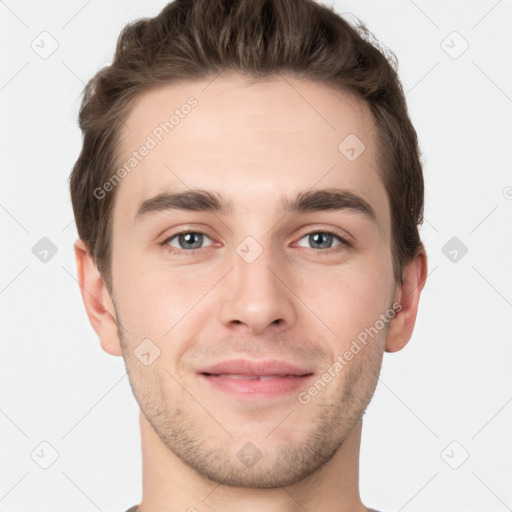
[253, 295]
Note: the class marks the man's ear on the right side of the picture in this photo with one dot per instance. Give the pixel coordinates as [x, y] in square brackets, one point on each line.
[408, 295]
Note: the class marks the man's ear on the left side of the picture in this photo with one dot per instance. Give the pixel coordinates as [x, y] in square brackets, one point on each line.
[97, 301]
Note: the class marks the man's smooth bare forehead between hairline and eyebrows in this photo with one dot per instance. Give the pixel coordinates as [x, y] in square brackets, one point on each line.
[252, 142]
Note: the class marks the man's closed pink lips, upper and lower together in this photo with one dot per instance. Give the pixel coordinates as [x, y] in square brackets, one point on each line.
[261, 379]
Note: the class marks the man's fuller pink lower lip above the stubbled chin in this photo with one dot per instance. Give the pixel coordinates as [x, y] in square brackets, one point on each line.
[255, 387]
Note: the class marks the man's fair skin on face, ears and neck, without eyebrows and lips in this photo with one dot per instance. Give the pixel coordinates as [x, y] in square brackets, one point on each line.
[252, 144]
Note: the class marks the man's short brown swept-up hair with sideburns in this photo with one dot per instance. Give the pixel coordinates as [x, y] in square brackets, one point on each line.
[196, 39]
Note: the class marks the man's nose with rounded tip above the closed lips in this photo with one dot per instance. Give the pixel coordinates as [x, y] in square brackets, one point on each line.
[256, 296]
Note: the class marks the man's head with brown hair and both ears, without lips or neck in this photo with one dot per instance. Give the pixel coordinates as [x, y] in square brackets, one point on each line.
[295, 124]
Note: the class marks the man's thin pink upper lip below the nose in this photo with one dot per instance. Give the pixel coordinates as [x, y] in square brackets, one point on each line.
[245, 367]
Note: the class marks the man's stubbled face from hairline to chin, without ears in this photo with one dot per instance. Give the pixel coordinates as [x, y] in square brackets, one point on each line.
[249, 301]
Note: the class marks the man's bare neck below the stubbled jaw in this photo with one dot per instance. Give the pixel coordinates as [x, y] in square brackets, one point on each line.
[170, 485]
